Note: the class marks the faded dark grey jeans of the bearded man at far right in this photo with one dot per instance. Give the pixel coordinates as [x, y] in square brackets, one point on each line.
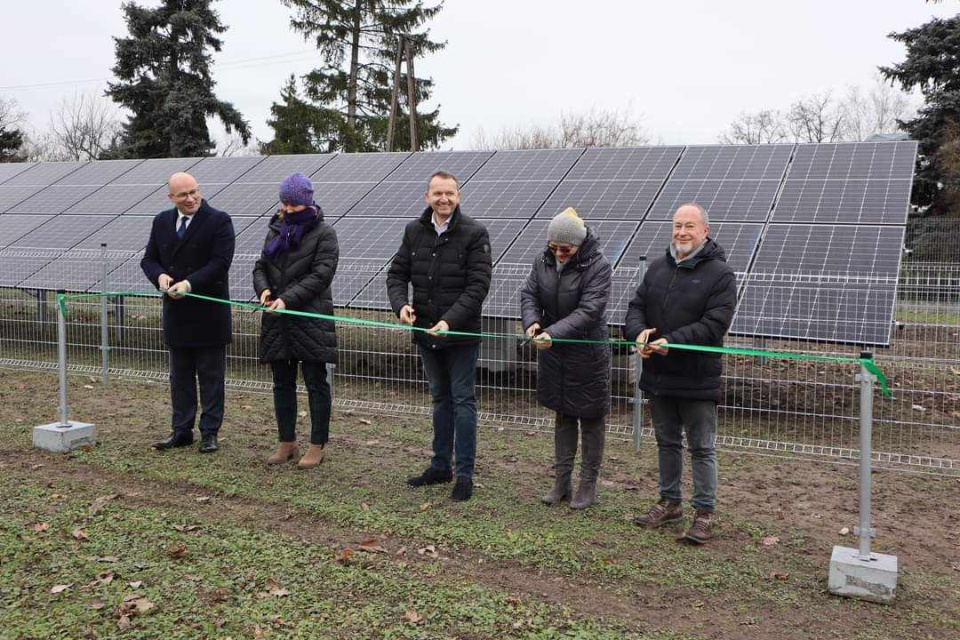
[671, 416]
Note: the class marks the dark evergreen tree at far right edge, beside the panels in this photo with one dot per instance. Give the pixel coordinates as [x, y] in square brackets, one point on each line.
[932, 64]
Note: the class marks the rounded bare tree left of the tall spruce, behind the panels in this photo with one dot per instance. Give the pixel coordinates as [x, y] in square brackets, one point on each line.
[85, 127]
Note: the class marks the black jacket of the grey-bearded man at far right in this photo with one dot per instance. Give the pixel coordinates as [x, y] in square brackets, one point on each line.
[689, 303]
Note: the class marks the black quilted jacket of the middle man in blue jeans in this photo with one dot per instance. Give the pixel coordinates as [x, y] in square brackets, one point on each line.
[450, 274]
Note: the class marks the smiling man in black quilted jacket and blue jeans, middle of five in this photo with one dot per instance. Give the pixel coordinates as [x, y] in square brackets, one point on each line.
[445, 255]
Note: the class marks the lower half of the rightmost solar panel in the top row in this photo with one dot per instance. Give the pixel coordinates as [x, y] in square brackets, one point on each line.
[844, 201]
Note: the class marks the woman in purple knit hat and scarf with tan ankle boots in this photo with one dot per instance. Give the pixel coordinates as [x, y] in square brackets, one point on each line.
[295, 272]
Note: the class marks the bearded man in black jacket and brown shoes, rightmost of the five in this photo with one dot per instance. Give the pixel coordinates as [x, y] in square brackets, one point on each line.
[686, 297]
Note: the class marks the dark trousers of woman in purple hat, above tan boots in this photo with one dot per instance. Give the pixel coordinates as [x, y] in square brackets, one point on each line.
[285, 399]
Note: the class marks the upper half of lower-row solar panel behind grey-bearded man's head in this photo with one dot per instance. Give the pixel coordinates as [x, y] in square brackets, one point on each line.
[739, 241]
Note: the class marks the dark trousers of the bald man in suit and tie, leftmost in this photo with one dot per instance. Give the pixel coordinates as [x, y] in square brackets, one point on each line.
[189, 366]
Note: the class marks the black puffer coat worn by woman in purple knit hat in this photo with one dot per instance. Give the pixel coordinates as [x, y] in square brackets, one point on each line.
[302, 279]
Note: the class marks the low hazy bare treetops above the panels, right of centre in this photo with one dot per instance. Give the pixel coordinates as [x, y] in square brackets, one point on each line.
[593, 128]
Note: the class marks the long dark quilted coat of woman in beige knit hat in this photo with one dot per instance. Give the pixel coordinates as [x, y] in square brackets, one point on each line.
[572, 378]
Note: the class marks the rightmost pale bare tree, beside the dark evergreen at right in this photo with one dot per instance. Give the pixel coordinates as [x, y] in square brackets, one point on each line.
[874, 112]
